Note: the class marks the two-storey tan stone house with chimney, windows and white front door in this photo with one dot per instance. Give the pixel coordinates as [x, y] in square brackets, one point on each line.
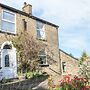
[12, 22]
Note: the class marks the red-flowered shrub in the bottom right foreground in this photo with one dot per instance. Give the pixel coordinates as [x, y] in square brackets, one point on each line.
[75, 83]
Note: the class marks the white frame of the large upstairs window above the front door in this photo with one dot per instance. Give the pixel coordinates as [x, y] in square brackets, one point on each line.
[2, 19]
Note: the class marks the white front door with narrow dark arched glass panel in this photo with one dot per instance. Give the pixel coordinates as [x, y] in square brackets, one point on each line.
[8, 63]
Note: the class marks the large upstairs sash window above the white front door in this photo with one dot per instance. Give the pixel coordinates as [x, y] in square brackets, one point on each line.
[8, 22]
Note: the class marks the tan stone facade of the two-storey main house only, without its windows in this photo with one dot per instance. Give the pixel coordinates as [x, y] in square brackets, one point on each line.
[51, 33]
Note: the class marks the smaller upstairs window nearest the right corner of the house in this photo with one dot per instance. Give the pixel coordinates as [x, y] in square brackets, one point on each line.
[40, 30]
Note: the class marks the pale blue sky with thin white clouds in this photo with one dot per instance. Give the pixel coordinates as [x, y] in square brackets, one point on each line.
[72, 16]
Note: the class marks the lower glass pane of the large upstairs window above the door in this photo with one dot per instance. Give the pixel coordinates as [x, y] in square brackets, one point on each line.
[9, 27]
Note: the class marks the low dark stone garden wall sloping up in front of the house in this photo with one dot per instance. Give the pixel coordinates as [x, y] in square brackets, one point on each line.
[24, 84]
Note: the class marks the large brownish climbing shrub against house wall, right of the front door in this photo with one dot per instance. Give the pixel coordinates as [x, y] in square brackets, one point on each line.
[27, 51]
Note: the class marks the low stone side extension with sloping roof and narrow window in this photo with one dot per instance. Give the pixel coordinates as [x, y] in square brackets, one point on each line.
[69, 64]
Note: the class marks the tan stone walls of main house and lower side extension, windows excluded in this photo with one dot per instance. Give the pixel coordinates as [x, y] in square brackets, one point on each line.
[60, 62]
